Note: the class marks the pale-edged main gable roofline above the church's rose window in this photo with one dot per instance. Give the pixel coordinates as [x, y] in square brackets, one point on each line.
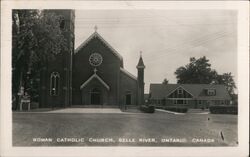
[97, 35]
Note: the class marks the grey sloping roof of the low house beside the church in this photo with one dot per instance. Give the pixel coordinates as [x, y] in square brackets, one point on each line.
[160, 91]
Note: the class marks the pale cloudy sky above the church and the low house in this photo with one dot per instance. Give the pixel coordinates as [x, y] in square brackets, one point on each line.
[167, 38]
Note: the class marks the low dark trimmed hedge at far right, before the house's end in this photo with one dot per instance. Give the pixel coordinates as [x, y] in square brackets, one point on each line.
[223, 109]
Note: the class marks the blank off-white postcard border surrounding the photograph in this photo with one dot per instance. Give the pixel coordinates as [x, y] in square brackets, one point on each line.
[243, 80]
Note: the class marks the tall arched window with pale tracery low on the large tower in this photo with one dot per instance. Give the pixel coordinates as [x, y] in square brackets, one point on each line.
[54, 83]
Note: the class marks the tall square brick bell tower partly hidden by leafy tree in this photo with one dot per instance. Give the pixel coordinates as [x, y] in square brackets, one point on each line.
[56, 77]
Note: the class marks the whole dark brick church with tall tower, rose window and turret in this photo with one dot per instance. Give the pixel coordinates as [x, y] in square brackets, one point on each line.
[93, 74]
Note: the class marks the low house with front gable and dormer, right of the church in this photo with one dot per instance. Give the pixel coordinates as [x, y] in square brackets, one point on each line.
[190, 95]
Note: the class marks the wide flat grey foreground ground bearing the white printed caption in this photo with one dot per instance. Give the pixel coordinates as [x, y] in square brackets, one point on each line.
[126, 129]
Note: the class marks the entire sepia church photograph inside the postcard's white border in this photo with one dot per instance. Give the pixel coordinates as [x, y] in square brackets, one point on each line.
[125, 78]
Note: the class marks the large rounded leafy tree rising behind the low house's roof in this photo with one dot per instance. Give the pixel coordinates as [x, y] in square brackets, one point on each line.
[197, 71]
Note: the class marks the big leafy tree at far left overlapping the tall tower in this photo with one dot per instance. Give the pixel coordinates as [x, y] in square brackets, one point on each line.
[37, 38]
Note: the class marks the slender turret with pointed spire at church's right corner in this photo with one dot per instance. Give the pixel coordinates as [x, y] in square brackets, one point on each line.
[140, 79]
